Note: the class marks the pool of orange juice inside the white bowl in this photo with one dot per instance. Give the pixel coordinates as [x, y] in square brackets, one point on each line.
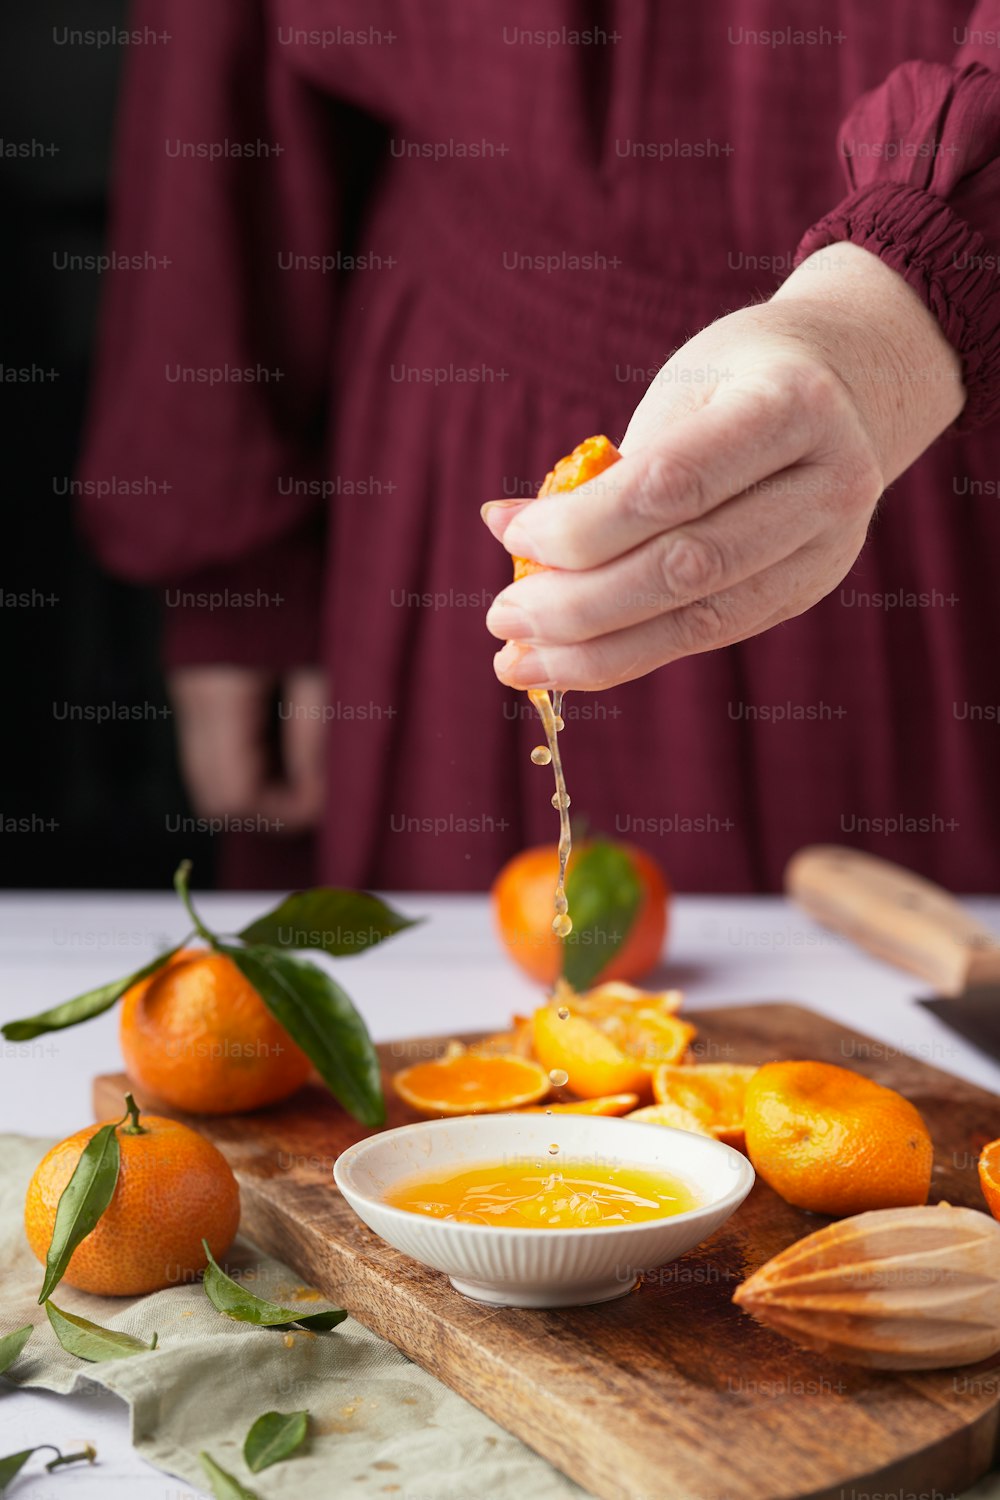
[540, 1195]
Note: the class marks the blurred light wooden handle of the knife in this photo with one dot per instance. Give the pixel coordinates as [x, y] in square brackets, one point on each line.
[896, 916]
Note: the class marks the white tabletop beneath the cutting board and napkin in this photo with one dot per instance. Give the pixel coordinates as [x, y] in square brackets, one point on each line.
[442, 977]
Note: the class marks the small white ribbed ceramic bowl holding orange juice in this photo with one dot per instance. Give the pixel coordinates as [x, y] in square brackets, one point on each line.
[542, 1268]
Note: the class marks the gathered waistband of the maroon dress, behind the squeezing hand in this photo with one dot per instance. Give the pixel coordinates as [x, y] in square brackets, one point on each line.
[572, 307]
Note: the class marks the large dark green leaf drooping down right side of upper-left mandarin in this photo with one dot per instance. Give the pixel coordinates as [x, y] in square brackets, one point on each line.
[320, 1018]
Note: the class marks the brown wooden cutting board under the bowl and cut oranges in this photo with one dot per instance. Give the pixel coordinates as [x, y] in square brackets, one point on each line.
[668, 1394]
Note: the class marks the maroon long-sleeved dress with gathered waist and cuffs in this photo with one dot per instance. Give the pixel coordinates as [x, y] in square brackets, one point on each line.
[419, 251]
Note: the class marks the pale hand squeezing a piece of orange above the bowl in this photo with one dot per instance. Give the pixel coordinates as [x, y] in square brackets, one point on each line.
[752, 469]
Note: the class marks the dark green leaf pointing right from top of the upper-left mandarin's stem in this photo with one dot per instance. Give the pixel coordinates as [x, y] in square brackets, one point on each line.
[337, 922]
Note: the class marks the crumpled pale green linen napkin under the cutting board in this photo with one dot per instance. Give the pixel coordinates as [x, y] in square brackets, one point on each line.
[382, 1427]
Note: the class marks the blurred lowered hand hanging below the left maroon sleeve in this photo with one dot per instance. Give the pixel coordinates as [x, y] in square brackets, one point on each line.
[226, 727]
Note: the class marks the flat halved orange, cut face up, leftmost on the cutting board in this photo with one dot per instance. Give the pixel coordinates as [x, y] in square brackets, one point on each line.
[472, 1084]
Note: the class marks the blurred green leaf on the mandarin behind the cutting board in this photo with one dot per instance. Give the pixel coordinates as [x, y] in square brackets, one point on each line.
[605, 895]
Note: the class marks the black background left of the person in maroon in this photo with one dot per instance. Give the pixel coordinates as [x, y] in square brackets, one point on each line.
[82, 802]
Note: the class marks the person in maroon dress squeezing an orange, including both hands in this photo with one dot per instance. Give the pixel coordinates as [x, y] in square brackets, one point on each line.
[391, 262]
